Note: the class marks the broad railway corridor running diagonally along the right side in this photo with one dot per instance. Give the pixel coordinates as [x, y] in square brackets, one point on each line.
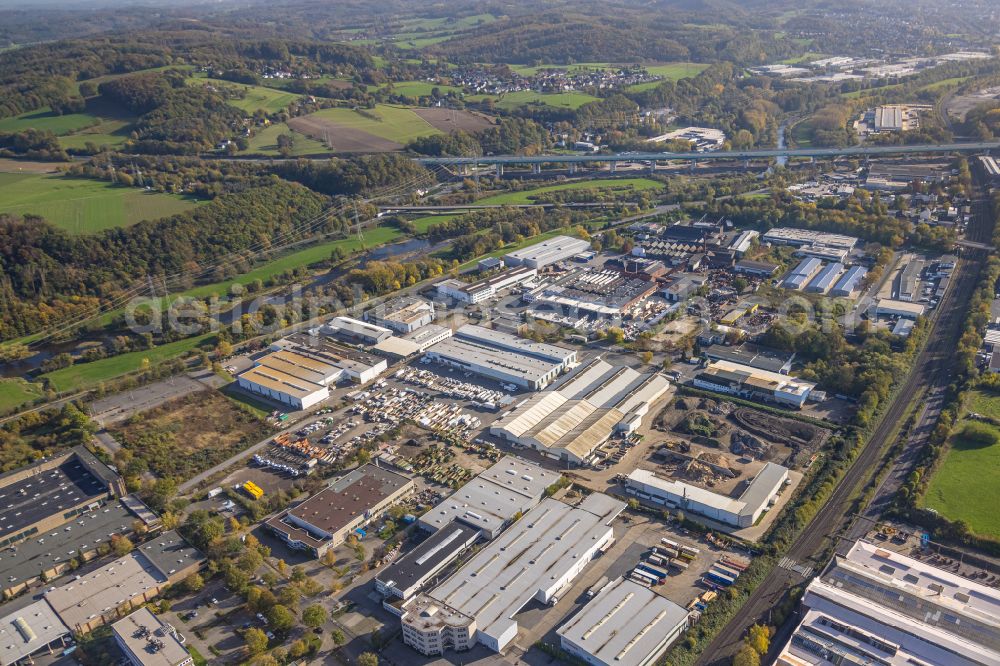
[931, 367]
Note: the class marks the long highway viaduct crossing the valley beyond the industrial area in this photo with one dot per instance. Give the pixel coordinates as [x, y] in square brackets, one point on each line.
[741, 155]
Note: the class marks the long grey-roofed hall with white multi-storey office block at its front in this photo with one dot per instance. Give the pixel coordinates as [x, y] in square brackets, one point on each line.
[537, 559]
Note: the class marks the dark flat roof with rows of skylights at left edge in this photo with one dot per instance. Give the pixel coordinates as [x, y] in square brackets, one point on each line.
[34, 498]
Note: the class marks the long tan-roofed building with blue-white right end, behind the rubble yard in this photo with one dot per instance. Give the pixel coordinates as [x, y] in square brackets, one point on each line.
[749, 382]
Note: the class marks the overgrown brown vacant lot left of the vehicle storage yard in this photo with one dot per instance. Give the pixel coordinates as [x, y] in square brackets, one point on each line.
[188, 435]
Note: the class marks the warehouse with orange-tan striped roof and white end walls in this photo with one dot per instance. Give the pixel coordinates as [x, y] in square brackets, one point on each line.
[302, 367]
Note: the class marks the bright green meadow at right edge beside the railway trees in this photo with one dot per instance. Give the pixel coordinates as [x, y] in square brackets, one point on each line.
[966, 484]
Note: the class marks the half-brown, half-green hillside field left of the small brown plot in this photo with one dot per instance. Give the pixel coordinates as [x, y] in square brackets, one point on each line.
[382, 129]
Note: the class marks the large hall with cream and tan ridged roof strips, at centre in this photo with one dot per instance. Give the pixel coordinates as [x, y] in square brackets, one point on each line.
[569, 423]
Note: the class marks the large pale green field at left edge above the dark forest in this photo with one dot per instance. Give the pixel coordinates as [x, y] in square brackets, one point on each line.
[81, 205]
